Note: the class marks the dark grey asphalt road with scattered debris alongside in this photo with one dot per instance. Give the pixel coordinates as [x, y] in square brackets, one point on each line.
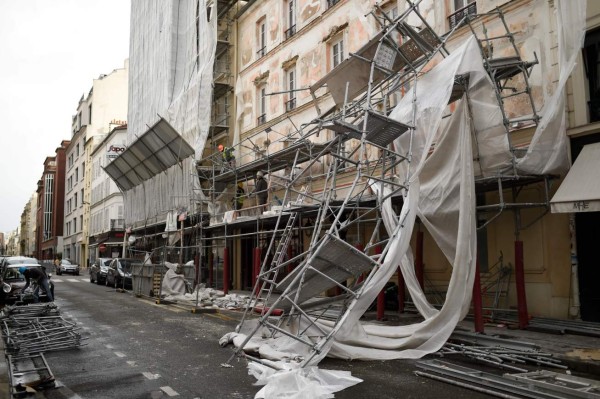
[138, 349]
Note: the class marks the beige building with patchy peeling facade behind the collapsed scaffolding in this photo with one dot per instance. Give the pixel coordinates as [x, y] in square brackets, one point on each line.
[284, 50]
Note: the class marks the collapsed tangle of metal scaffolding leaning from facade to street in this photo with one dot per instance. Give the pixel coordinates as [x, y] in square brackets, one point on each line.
[289, 302]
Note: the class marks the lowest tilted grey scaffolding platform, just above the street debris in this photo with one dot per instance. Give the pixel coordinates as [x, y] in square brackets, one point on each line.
[335, 258]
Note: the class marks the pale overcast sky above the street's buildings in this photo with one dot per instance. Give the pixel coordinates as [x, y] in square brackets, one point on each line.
[50, 52]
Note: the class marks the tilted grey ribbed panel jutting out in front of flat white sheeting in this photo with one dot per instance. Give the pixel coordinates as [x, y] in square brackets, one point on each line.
[155, 151]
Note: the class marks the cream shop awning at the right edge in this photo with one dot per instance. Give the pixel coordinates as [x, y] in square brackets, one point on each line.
[580, 191]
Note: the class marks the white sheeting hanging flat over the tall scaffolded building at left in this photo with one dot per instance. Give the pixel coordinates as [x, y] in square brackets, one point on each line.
[172, 52]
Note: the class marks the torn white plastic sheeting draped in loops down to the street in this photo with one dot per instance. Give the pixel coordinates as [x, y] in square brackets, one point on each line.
[441, 194]
